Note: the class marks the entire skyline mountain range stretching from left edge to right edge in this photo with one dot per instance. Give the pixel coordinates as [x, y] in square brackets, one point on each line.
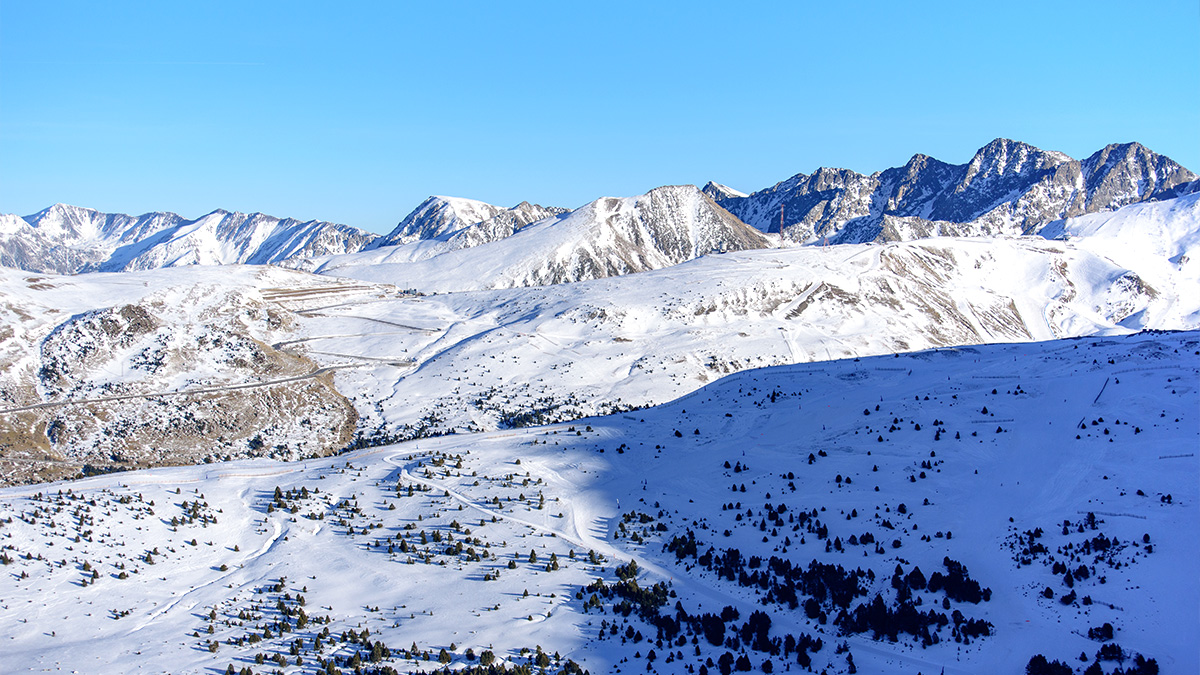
[1007, 189]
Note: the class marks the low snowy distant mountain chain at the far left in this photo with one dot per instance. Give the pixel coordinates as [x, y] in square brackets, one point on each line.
[65, 240]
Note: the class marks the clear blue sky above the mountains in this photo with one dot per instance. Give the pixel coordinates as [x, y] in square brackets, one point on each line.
[356, 112]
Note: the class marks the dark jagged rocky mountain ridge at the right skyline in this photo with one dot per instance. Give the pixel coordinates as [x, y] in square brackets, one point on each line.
[1009, 188]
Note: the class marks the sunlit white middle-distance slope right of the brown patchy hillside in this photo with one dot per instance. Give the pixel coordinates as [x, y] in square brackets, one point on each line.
[581, 349]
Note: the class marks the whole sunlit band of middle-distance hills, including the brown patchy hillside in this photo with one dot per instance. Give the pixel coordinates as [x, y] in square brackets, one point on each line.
[371, 362]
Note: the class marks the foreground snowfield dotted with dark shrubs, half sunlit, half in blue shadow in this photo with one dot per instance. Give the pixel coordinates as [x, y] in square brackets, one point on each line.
[958, 453]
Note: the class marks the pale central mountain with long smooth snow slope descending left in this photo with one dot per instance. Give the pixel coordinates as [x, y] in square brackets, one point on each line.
[609, 237]
